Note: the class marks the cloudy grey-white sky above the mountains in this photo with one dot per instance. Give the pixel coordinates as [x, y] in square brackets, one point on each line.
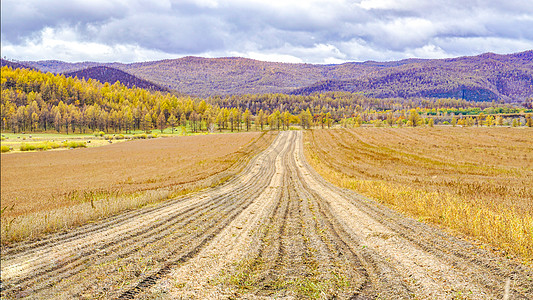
[311, 31]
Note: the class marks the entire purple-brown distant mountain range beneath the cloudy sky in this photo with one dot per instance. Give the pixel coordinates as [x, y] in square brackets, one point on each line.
[485, 77]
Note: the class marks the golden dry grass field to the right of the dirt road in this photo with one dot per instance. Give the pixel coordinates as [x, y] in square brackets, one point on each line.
[478, 181]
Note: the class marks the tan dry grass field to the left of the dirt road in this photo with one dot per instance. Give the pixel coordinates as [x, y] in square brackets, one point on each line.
[46, 191]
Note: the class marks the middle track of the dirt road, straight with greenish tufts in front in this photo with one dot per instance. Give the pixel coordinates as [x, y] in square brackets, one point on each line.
[297, 250]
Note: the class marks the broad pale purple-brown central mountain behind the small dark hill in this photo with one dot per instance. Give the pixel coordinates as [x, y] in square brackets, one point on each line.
[222, 76]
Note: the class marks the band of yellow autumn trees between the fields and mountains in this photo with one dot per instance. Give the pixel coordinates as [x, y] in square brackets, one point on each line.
[36, 101]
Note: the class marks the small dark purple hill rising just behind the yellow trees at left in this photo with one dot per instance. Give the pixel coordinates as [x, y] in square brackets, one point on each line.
[112, 75]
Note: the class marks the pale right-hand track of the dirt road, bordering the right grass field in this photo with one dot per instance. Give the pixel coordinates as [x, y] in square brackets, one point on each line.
[435, 264]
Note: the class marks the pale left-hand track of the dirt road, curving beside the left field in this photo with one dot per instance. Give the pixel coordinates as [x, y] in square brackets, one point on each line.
[54, 265]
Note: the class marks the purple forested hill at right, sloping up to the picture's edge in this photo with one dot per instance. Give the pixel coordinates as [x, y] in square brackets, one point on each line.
[482, 78]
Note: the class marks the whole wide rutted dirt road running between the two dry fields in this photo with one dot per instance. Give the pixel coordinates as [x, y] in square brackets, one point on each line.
[277, 230]
